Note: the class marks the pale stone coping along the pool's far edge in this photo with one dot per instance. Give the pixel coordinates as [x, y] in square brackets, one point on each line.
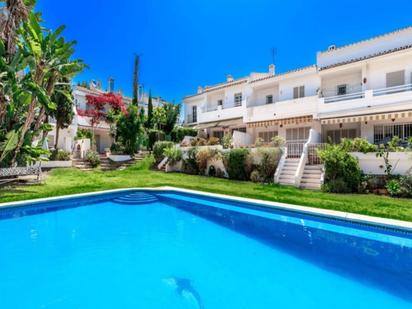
[346, 216]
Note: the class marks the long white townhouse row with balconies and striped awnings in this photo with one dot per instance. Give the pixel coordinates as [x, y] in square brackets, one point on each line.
[362, 89]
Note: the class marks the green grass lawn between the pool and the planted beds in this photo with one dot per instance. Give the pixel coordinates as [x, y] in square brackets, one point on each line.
[69, 181]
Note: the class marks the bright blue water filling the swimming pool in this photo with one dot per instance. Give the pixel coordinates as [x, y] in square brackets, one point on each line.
[174, 250]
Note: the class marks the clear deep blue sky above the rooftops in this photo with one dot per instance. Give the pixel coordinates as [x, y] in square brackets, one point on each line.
[184, 44]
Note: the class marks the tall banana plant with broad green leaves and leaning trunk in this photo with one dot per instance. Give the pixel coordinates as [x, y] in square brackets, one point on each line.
[49, 59]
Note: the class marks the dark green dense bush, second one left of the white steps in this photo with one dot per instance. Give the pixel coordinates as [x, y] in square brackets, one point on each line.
[237, 164]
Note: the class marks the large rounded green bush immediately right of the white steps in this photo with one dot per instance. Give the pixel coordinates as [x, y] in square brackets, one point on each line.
[342, 171]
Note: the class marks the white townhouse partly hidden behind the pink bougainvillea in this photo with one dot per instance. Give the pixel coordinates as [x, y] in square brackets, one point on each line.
[67, 140]
